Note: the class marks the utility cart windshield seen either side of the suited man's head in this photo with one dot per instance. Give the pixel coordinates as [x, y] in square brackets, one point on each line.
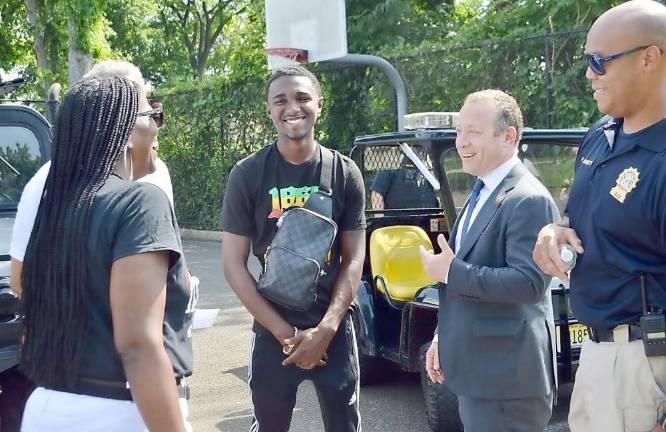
[551, 163]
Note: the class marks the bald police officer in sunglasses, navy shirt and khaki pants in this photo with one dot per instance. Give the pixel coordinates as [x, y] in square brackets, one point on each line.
[617, 224]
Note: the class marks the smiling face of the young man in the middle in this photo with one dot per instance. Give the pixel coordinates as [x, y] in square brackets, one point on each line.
[294, 104]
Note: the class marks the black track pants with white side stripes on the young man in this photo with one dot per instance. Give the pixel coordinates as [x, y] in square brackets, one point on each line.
[273, 386]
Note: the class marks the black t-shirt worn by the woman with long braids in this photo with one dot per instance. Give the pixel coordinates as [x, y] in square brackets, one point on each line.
[128, 218]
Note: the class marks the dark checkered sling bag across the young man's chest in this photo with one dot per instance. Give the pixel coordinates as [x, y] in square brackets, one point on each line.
[297, 256]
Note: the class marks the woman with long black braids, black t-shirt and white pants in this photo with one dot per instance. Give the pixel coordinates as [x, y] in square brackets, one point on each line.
[105, 342]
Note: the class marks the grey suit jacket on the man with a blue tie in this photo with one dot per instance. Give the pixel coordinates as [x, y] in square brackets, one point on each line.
[496, 330]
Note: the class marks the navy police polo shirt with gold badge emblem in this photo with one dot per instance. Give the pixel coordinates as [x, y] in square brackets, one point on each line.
[617, 206]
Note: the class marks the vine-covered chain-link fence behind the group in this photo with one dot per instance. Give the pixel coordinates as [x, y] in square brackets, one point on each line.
[211, 127]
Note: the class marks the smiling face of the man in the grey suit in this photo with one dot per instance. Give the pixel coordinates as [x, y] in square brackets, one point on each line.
[478, 142]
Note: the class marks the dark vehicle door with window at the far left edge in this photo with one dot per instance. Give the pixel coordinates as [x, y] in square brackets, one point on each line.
[25, 145]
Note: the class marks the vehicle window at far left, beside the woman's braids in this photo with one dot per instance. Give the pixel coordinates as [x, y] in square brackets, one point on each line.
[20, 158]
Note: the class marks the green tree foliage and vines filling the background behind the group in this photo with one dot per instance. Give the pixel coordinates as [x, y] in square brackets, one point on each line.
[205, 60]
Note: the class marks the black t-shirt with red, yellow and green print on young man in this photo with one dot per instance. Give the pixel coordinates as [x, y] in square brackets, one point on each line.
[252, 207]
